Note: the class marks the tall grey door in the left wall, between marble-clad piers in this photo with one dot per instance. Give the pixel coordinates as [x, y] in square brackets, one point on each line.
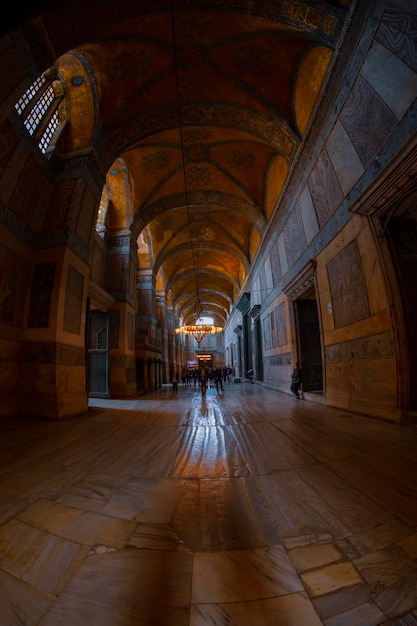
[98, 354]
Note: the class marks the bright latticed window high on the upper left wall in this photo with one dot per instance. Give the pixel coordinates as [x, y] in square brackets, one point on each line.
[39, 109]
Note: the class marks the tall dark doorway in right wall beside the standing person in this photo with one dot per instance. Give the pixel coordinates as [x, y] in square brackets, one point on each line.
[308, 328]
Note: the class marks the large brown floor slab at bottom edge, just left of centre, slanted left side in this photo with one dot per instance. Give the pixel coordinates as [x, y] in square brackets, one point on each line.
[126, 588]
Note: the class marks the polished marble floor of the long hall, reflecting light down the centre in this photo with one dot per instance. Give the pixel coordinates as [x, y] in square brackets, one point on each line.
[245, 507]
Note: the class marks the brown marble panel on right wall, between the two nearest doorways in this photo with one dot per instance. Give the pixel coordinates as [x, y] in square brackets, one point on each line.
[347, 287]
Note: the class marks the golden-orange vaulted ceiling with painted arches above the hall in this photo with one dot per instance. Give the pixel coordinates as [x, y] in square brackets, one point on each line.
[196, 110]
